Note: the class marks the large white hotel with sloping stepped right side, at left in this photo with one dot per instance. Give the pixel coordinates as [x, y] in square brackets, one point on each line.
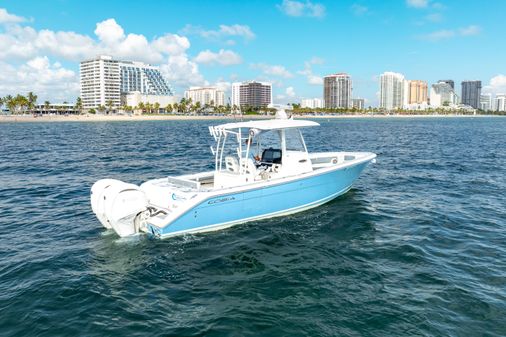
[105, 80]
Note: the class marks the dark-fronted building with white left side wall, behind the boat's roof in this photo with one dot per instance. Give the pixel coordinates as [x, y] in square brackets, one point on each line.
[252, 94]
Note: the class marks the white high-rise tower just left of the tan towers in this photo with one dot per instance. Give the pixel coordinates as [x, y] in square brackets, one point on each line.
[392, 90]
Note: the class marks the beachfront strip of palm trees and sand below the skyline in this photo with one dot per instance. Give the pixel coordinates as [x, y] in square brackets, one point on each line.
[25, 109]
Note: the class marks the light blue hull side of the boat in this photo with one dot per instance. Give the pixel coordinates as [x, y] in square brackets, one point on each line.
[225, 210]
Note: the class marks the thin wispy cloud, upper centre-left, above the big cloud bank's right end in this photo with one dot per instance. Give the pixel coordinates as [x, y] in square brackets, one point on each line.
[224, 32]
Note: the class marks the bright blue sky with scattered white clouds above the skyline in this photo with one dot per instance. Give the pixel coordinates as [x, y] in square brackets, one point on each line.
[292, 44]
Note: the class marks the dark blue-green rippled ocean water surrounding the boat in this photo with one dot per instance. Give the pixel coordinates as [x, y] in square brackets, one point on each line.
[416, 248]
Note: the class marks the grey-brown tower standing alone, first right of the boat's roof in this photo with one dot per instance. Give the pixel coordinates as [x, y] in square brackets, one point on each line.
[337, 91]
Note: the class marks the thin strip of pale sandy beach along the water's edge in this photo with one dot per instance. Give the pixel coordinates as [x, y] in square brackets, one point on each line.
[120, 118]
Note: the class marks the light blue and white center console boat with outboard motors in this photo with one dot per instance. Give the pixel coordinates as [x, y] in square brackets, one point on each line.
[262, 169]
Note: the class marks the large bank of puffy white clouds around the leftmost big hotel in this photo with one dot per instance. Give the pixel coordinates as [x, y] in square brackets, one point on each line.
[25, 65]
